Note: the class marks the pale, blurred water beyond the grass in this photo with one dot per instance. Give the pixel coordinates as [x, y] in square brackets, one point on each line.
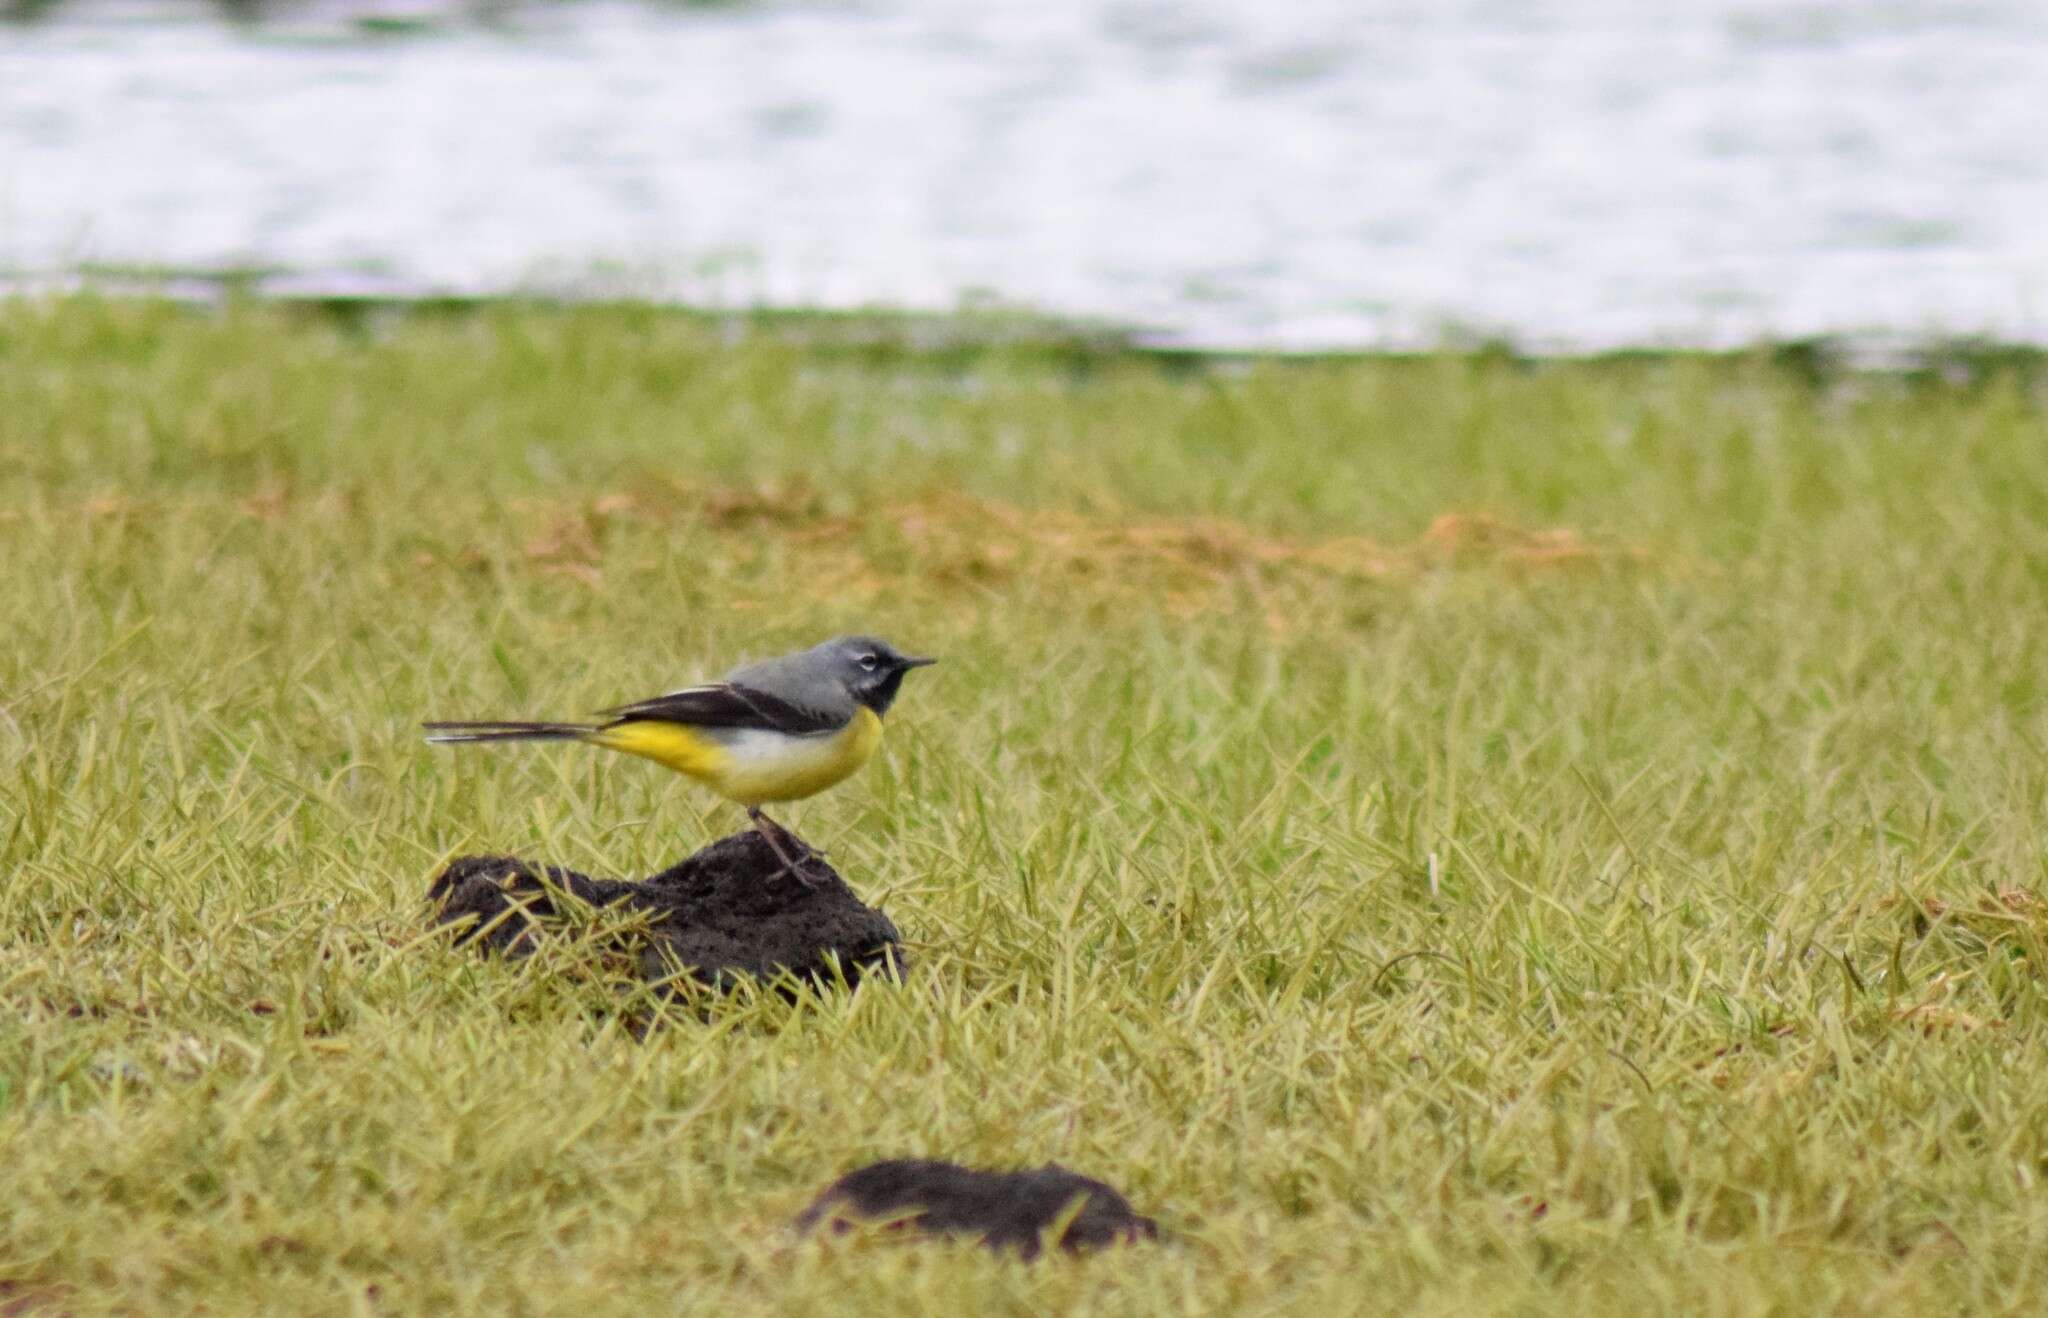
[1287, 175]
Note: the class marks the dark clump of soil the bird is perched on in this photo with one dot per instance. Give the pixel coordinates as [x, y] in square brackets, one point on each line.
[724, 914]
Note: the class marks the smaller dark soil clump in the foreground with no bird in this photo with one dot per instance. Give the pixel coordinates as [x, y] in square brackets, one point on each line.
[998, 1209]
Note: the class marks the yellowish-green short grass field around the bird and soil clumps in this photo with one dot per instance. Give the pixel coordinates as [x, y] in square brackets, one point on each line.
[1445, 836]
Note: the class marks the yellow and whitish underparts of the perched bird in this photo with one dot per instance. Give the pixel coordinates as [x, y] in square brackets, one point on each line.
[753, 766]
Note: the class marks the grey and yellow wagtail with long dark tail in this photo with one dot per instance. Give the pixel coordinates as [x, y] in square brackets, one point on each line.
[771, 732]
